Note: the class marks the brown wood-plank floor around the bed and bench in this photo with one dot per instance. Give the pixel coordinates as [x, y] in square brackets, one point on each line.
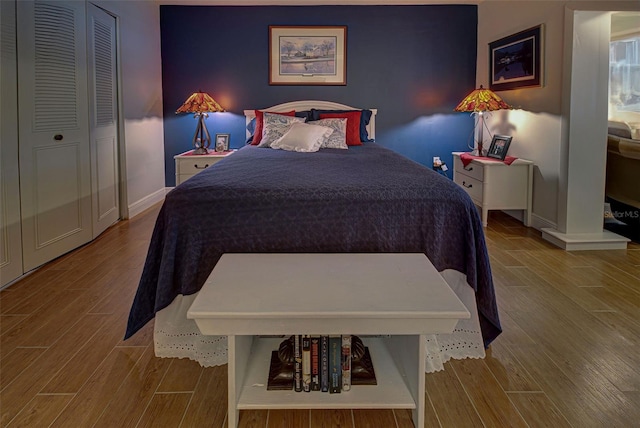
[569, 355]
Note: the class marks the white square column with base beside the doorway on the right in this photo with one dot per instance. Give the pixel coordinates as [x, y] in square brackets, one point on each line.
[584, 135]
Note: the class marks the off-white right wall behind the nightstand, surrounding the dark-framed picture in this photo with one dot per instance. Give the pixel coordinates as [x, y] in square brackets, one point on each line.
[537, 128]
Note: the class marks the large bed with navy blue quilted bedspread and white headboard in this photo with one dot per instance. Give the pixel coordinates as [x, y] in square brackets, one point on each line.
[363, 199]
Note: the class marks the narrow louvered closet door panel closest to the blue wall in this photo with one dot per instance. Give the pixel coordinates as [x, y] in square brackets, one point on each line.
[103, 118]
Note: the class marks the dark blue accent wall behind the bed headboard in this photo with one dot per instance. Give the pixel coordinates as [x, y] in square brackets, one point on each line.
[413, 63]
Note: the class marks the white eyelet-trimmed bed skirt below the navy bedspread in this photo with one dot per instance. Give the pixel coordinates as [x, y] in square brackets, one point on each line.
[175, 336]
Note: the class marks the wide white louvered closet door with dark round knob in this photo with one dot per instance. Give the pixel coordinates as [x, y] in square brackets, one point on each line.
[55, 175]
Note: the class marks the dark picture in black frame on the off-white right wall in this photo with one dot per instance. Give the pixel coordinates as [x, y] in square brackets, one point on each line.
[516, 61]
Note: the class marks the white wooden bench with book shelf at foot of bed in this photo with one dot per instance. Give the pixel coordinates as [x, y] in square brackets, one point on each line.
[400, 297]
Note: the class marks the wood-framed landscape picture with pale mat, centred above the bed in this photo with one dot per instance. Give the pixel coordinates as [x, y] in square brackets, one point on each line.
[307, 55]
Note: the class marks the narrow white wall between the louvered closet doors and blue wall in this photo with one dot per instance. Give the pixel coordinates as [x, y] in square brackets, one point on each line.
[141, 100]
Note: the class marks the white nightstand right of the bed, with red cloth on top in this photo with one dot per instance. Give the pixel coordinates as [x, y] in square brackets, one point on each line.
[494, 185]
